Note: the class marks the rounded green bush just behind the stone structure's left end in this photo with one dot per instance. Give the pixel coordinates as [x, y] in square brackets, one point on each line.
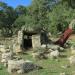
[24, 20]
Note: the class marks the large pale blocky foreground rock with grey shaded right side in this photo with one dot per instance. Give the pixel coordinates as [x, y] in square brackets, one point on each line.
[21, 66]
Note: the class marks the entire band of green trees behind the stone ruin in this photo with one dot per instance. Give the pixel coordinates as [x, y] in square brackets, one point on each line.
[52, 15]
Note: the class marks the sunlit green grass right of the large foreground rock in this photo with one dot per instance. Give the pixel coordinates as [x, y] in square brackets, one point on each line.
[51, 67]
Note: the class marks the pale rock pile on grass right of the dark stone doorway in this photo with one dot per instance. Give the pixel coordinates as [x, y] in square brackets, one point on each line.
[48, 51]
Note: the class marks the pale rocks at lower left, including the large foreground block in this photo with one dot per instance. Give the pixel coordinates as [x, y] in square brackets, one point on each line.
[14, 64]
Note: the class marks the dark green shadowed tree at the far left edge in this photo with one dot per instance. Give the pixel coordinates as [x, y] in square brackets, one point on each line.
[8, 16]
